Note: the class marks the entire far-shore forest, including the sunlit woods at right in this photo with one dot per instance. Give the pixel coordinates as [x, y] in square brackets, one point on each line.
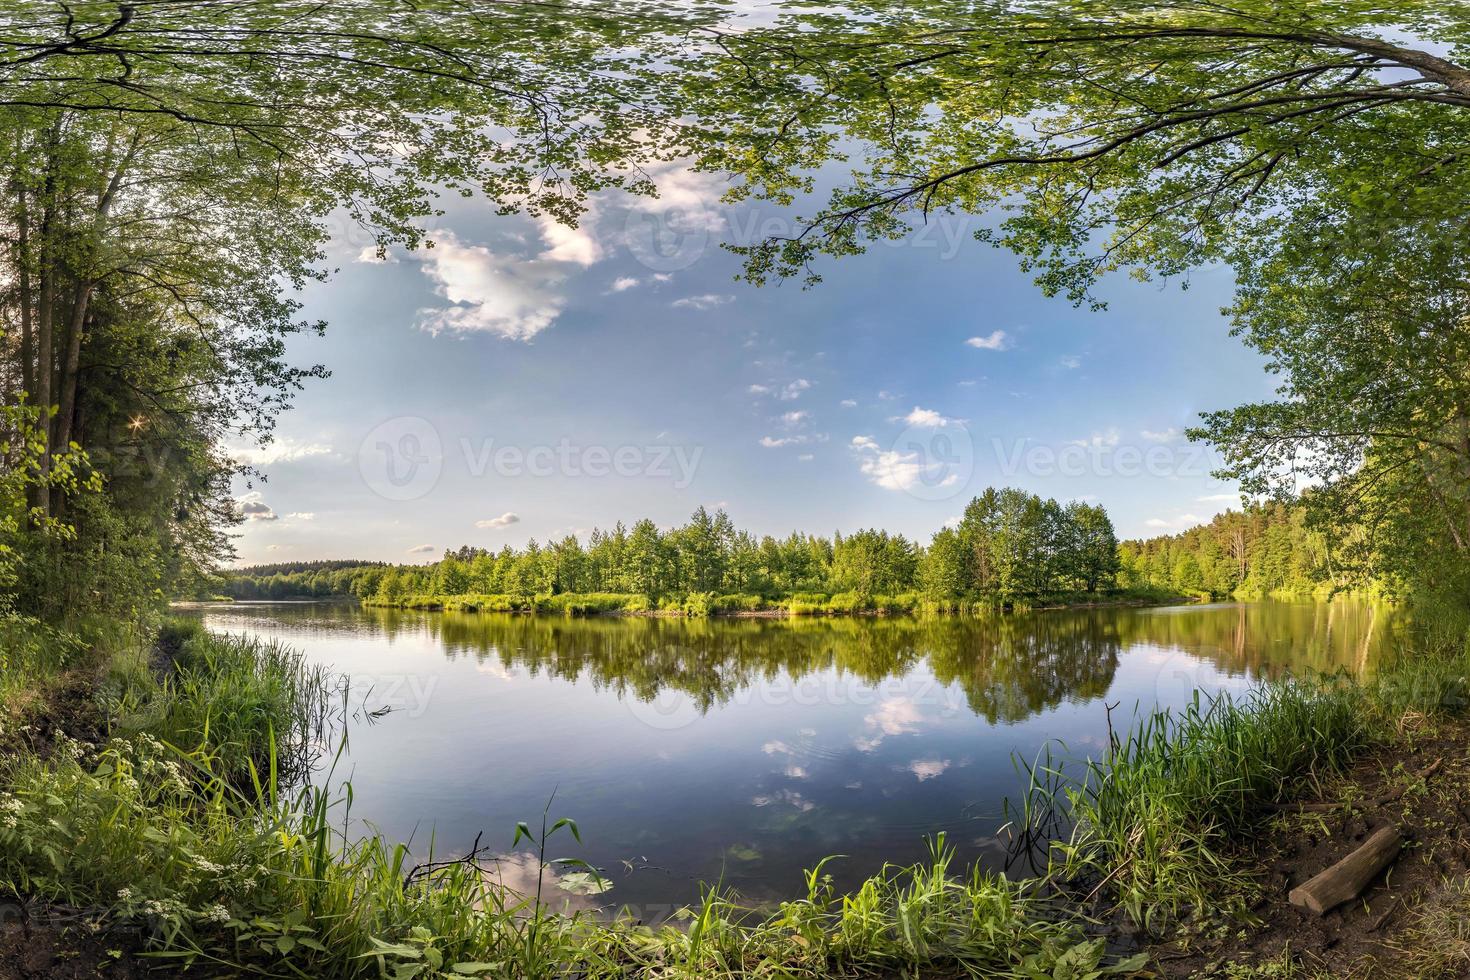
[1011, 547]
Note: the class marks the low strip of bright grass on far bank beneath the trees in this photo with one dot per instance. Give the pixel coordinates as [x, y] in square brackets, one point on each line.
[699, 605]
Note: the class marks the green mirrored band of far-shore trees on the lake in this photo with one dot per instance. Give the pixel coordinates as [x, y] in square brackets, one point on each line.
[1009, 668]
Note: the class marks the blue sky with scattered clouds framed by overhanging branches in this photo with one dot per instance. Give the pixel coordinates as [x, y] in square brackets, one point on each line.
[528, 381]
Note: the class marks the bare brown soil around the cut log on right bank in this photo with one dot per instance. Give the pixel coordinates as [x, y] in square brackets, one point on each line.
[1365, 938]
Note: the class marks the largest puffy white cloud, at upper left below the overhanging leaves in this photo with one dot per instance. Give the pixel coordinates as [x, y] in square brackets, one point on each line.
[490, 293]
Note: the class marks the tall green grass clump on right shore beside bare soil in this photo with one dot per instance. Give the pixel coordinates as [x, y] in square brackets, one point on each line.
[1158, 821]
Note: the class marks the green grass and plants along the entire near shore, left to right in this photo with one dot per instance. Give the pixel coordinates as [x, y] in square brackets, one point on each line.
[173, 803]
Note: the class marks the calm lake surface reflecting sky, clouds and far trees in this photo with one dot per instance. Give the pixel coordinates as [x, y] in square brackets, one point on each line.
[749, 750]
